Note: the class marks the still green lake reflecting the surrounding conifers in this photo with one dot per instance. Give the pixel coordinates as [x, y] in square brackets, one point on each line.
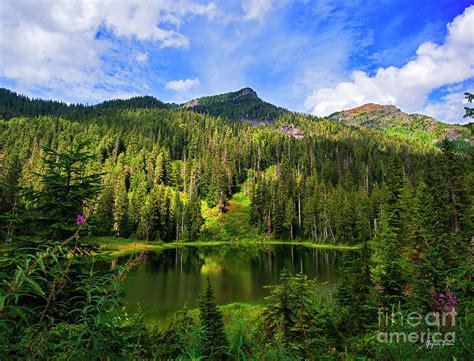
[167, 280]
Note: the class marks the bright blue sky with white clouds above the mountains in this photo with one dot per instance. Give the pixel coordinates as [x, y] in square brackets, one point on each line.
[316, 57]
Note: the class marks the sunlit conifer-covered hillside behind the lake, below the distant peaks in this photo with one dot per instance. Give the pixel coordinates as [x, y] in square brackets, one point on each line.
[153, 160]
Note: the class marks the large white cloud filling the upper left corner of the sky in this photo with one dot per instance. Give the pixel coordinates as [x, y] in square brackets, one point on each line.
[54, 44]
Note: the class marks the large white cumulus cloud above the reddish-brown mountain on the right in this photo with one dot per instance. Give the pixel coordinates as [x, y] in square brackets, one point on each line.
[408, 86]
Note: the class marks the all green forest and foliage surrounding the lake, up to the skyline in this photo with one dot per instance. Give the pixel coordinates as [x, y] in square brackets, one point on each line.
[148, 170]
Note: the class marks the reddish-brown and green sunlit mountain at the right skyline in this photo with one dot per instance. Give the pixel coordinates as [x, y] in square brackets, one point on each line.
[390, 120]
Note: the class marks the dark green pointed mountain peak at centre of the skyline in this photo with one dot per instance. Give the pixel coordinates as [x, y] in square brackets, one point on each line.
[240, 105]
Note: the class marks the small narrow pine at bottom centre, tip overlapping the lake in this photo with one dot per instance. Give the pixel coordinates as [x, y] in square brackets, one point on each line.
[215, 341]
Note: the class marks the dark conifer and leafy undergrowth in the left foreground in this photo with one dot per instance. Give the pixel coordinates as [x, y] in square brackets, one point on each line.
[52, 301]
